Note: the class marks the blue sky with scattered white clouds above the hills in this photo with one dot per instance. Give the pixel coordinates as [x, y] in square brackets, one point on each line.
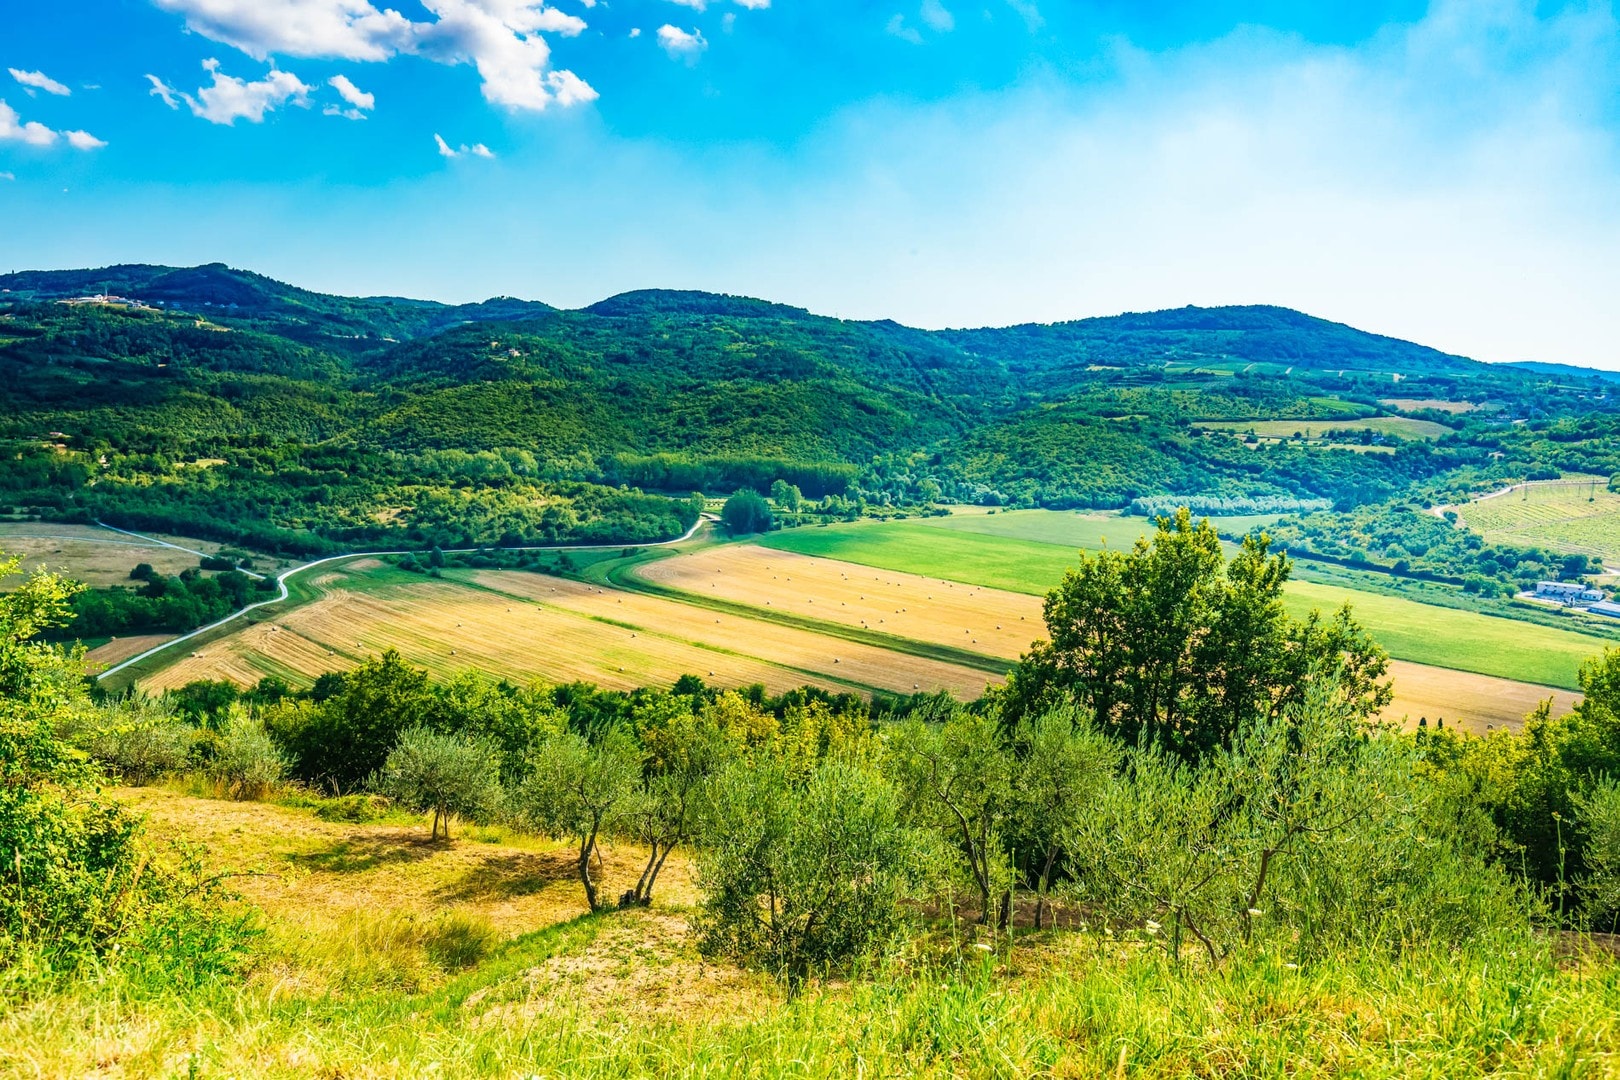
[1446, 172]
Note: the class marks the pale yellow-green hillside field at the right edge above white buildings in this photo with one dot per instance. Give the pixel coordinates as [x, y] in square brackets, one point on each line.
[1572, 517]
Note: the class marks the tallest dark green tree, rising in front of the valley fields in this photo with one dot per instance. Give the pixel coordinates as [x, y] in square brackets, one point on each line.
[1172, 642]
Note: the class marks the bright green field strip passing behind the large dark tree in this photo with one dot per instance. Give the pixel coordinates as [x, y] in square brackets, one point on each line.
[1410, 631]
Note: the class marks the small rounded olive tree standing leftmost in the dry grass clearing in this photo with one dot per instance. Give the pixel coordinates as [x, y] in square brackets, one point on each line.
[453, 776]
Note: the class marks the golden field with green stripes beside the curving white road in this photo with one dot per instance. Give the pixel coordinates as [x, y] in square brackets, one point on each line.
[548, 629]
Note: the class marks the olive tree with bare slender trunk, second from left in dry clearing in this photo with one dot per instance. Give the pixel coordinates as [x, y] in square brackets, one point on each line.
[582, 791]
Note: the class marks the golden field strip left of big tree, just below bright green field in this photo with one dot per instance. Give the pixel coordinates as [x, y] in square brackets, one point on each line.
[905, 605]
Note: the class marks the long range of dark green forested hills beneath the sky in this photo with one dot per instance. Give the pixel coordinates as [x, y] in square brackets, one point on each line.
[226, 404]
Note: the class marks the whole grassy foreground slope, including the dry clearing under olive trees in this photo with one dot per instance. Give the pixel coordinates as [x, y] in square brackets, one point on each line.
[386, 956]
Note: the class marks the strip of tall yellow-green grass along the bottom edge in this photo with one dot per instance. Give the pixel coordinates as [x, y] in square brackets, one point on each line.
[1072, 1006]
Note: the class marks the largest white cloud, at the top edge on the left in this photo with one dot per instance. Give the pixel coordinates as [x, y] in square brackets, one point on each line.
[503, 40]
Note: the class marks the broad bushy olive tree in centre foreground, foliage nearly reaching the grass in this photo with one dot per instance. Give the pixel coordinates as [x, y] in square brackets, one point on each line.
[803, 878]
